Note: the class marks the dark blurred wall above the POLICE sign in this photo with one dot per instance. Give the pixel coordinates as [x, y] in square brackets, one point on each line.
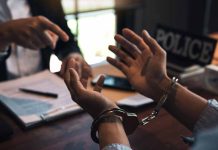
[189, 15]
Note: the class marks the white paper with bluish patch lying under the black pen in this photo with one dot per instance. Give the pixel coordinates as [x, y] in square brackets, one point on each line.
[31, 108]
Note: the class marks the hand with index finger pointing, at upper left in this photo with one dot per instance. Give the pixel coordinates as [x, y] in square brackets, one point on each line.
[34, 32]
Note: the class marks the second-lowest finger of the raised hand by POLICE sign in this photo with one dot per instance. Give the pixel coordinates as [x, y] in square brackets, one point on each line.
[122, 55]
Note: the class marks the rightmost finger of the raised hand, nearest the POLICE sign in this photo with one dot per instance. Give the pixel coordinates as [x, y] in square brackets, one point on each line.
[152, 43]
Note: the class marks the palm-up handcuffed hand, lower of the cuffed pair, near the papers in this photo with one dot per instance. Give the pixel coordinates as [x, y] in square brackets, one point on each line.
[91, 101]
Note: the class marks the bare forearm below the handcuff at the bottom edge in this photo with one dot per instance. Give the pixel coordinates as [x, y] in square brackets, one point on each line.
[112, 132]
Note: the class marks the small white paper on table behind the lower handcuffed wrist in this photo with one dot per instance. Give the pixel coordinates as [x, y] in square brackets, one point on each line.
[134, 101]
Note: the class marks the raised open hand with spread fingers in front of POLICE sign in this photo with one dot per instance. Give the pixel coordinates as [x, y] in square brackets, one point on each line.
[143, 62]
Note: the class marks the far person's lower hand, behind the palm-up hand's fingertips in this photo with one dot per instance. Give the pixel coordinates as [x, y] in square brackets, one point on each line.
[76, 61]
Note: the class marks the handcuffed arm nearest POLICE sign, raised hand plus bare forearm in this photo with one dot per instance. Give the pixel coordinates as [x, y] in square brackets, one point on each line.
[143, 61]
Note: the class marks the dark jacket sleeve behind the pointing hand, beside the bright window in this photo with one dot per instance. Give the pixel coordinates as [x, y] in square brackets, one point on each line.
[53, 10]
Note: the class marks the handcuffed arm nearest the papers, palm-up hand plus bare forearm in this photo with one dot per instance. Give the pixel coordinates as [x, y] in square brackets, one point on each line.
[110, 130]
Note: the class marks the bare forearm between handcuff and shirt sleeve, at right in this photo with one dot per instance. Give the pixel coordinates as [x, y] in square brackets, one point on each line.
[185, 106]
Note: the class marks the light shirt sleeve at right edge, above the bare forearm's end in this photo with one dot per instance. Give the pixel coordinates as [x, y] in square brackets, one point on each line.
[208, 118]
